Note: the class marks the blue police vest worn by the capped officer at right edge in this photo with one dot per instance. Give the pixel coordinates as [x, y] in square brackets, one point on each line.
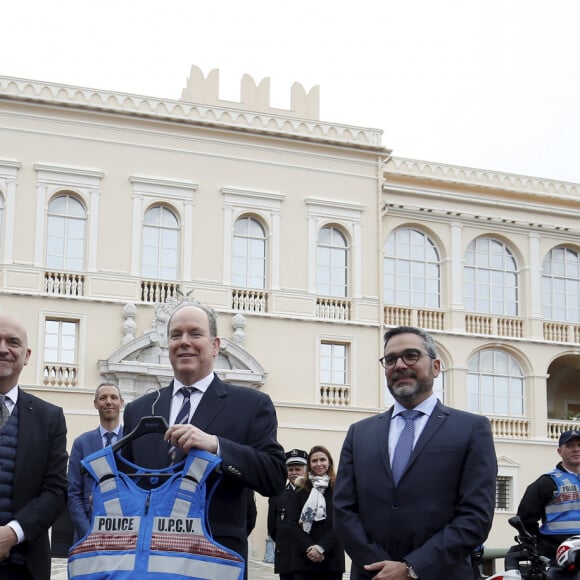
[563, 512]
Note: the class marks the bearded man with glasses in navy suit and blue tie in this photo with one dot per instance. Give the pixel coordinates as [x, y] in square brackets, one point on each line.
[418, 509]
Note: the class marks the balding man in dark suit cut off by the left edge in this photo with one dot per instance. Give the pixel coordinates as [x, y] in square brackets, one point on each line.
[33, 457]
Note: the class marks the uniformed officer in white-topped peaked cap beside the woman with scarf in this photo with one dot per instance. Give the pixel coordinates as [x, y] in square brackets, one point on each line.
[279, 523]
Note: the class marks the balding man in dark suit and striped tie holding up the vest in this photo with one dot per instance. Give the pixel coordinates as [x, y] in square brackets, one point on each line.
[237, 423]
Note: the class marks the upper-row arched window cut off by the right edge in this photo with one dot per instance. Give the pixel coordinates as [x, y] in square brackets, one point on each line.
[561, 285]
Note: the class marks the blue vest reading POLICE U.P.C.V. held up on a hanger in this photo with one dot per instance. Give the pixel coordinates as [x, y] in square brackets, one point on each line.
[151, 534]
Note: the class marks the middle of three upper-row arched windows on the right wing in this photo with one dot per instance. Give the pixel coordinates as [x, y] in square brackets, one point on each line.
[490, 278]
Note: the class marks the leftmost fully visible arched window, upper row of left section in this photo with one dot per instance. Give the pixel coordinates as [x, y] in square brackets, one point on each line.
[66, 231]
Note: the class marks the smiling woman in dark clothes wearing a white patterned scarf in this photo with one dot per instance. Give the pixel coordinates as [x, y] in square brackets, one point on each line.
[318, 555]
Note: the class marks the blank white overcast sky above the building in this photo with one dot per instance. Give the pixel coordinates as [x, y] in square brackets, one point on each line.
[492, 84]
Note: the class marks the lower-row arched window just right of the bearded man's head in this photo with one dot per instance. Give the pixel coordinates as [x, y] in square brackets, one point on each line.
[495, 384]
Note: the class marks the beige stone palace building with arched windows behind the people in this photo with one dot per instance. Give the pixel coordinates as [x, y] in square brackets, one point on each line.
[308, 238]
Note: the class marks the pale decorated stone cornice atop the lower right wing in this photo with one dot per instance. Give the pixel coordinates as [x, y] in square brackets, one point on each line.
[453, 174]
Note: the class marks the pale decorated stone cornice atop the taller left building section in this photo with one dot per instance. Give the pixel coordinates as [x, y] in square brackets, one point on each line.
[185, 112]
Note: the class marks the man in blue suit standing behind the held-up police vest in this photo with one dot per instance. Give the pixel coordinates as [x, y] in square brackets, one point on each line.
[108, 402]
